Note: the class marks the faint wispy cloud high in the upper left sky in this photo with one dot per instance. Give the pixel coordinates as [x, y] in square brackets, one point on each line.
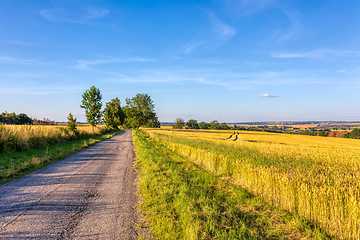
[81, 16]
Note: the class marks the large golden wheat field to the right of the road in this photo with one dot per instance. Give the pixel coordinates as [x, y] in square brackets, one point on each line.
[317, 178]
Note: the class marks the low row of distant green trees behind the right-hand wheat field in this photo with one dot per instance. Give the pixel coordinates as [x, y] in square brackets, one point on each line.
[193, 124]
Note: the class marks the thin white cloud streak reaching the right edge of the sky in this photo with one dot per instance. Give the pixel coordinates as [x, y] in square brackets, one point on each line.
[321, 53]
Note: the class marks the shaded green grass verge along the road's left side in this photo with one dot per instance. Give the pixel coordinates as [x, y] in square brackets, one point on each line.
[17, 164]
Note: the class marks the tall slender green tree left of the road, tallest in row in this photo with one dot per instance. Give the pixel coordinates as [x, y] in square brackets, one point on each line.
[91, 102]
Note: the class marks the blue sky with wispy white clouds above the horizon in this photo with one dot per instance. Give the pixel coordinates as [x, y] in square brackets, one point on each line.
[229, 60]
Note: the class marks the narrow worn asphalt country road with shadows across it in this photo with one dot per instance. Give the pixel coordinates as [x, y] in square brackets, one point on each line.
[89, 195]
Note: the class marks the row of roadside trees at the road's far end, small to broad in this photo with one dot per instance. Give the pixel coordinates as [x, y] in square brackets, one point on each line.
[138, 111]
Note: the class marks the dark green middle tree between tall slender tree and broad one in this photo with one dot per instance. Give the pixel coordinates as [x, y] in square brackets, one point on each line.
[114, 116]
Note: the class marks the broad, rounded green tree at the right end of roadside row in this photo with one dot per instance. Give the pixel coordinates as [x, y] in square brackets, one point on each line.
[140, 111]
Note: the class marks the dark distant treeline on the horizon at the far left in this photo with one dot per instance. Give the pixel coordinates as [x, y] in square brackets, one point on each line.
[22, 119]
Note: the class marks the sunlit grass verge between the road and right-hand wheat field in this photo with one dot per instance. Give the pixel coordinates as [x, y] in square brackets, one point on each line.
[180, 200]
